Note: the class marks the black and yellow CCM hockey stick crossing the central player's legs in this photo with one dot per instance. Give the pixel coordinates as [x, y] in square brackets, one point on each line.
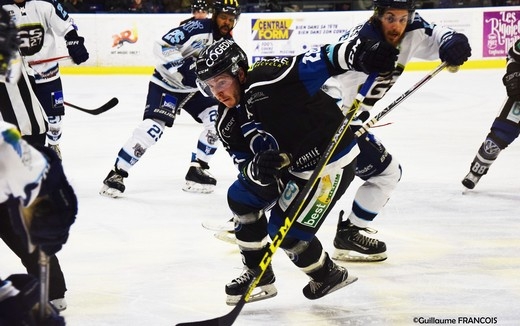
[296, 209]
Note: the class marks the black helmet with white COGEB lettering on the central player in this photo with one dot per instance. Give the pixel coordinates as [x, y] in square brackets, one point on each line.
[221, 56]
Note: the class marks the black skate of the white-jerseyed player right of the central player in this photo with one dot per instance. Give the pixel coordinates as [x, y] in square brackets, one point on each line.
[351, 245]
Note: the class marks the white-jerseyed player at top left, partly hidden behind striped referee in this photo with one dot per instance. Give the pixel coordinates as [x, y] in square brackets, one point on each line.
[41, 24]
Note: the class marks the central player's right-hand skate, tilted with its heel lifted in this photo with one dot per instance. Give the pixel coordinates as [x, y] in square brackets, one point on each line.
[336, 279]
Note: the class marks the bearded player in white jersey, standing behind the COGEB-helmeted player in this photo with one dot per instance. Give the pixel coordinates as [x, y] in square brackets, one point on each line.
[172, 88]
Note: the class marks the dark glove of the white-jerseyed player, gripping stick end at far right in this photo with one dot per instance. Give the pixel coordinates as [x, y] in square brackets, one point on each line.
[454, 49]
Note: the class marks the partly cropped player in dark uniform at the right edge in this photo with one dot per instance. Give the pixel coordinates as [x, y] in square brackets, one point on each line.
[506, 126]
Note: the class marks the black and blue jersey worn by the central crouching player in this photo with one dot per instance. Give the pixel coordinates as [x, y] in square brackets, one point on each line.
[284, 108]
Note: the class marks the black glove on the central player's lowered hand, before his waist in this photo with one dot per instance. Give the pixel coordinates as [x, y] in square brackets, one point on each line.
[267, 166]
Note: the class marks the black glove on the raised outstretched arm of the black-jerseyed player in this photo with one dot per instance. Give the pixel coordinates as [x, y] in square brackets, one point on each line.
[374, 56]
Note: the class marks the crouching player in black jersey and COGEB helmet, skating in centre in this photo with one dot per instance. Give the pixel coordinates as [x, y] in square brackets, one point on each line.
[275, 122]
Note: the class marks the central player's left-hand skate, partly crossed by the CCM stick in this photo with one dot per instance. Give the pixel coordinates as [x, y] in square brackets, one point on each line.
[265, 289]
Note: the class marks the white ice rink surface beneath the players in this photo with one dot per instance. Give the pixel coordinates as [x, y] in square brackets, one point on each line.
[145, 259]
